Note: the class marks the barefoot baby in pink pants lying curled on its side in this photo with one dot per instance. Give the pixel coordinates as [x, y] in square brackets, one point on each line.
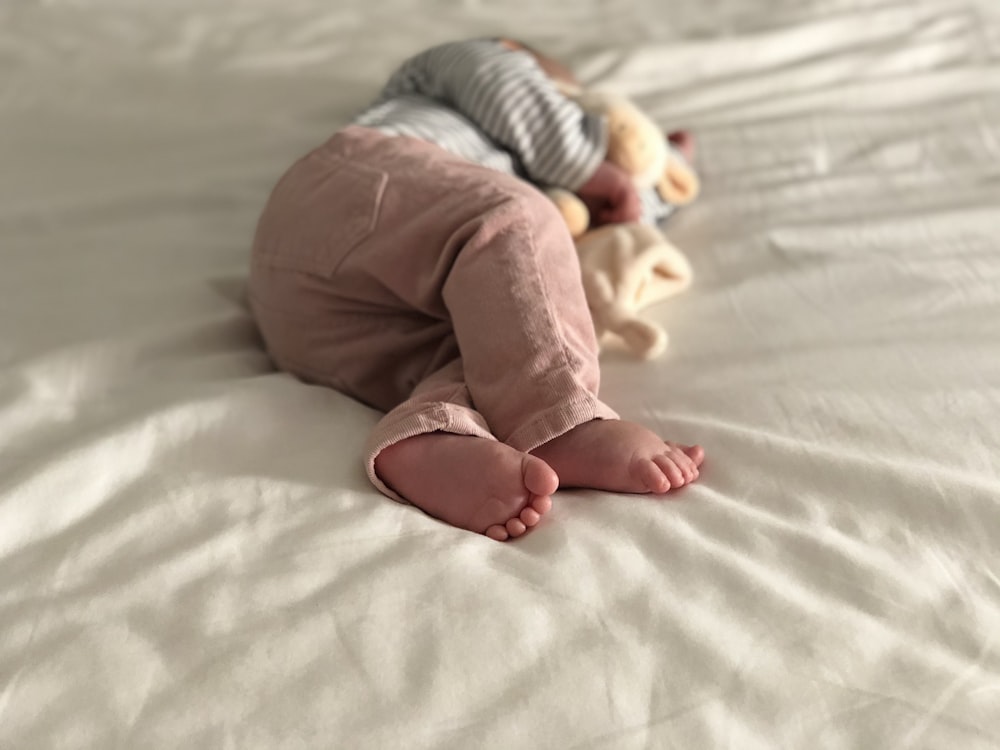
[410, 263]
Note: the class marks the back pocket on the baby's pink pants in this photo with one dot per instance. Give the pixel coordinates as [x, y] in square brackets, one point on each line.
[320, 210]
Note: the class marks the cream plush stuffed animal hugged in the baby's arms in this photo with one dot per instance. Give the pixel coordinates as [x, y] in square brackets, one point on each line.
[627, 267]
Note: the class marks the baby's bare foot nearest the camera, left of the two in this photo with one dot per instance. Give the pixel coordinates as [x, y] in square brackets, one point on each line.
[470, 482]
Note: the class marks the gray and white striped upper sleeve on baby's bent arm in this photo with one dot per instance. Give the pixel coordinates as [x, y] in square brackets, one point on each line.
[511, 99]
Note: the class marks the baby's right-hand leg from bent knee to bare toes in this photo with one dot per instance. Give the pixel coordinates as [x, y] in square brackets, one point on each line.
[521, 321]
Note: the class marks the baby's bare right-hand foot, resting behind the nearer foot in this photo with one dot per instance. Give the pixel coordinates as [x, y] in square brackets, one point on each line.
[620, 457]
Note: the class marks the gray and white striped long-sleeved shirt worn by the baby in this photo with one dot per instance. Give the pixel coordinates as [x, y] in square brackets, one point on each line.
[496, 107]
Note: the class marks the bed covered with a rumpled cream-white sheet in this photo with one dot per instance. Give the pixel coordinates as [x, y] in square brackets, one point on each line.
[191, 554]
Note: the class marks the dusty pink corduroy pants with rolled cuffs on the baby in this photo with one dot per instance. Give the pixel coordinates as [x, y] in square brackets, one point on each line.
[441, 292]
